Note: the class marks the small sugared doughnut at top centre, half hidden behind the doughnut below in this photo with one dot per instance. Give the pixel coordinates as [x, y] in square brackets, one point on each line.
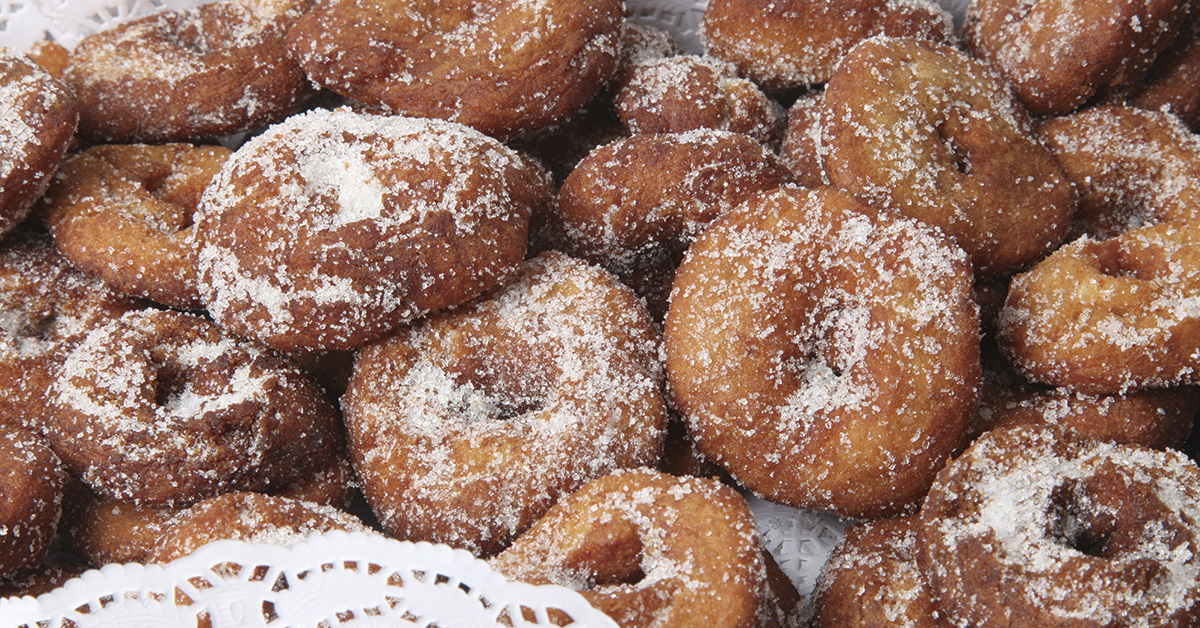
[686, 93]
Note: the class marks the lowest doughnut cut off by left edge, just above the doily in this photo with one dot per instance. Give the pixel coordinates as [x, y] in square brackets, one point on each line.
[32, 501]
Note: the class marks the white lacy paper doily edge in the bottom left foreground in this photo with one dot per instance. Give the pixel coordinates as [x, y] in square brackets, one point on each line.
[334, 581]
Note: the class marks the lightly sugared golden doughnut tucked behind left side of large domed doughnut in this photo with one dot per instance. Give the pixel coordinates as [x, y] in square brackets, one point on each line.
[124, 213]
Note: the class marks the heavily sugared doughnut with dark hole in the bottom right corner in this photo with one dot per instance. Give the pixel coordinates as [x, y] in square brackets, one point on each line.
[1041, 528]
